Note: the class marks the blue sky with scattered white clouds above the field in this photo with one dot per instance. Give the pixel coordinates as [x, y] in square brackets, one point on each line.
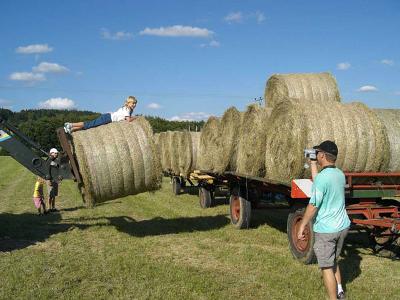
[191, 59]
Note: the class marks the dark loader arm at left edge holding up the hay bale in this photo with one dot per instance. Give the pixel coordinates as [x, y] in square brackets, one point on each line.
[31, 155]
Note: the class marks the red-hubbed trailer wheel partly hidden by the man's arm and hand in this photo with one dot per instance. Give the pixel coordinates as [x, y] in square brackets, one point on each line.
[301, 250]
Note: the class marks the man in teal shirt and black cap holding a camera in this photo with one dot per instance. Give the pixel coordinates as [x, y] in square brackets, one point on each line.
[331, 223]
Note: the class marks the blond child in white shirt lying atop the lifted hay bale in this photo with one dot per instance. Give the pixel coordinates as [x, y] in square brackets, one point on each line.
[124, 113]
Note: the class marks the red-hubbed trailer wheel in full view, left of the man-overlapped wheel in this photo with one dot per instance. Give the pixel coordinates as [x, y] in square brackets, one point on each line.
[240, 210]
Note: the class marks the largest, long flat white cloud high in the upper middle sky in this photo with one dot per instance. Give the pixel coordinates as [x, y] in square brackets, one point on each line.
[178, 31]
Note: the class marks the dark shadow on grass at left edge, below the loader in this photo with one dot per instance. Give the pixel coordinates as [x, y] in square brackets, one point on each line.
[18, 231]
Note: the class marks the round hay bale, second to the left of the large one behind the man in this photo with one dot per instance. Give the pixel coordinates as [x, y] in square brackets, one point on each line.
[230, 124]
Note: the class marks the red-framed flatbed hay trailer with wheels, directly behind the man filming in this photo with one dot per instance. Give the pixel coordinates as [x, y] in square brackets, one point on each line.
[368, 205]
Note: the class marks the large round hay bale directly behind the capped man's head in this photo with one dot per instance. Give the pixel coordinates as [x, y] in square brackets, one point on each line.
[295, 125]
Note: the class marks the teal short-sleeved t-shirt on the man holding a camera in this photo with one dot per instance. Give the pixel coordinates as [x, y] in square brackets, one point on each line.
[328, 196]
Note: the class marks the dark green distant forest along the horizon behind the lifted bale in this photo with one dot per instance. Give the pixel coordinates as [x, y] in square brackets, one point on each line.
[40, 124]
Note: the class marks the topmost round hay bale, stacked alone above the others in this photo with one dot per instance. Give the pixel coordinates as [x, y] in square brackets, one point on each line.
[309, 87]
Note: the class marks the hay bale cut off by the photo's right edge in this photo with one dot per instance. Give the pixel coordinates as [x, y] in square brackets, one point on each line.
[391, 120]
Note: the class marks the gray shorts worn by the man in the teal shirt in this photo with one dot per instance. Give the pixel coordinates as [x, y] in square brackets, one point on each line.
[327, 247]
